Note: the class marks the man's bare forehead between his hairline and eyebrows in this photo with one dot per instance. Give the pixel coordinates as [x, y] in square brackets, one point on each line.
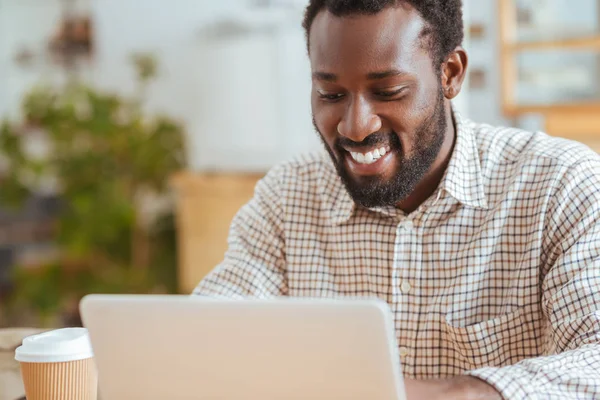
[367, 43]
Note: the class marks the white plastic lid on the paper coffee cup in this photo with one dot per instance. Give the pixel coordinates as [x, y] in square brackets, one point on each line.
[61, 345]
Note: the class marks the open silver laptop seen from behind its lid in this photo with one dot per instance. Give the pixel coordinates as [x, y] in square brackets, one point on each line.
[188, 347]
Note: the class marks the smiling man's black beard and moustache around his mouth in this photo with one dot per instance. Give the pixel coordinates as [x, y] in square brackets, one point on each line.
[373, 191]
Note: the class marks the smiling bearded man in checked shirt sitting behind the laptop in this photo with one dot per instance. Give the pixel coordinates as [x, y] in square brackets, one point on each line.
[484, 241]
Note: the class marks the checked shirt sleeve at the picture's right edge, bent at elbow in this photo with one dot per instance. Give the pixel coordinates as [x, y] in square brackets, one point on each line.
[570, 366]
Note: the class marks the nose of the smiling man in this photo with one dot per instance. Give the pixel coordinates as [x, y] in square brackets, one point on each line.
[359, 121]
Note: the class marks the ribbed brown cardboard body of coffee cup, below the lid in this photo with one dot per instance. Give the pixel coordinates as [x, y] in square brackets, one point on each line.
[71, 380]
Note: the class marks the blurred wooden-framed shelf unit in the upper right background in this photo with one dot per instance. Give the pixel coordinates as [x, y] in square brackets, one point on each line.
[550, 64]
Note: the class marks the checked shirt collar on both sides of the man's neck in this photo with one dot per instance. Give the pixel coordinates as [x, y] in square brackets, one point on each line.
[463, 179]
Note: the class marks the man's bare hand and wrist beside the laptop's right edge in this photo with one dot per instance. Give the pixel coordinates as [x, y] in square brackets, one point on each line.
[457, 388]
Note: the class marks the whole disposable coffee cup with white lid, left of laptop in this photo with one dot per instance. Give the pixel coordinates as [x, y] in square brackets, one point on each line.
[58, 365]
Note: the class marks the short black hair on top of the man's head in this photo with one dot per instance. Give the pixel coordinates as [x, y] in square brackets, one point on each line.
[443, 18]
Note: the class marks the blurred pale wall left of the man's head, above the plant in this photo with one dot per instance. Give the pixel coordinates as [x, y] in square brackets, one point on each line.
[244, 98]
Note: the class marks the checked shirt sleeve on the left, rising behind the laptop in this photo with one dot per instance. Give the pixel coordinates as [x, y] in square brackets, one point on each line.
[254, 264]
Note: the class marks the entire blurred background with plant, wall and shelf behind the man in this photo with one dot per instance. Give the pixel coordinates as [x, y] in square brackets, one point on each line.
[131, 132]
